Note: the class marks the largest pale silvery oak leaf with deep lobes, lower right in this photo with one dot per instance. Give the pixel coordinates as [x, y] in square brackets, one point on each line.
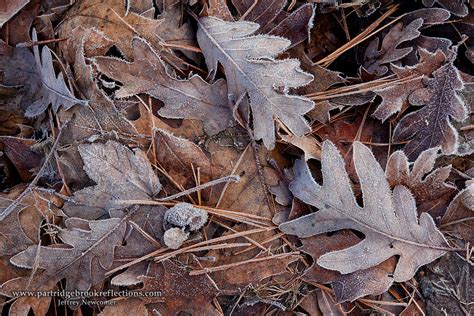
[387, 219]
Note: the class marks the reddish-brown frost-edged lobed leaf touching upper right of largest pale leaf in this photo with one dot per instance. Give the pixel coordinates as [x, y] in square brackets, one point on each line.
[428, 186]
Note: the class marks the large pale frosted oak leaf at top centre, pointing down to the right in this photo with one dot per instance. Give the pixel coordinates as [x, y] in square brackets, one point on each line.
[251, 69]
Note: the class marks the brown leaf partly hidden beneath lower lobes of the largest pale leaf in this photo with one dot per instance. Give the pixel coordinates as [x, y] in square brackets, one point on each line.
[347, 287]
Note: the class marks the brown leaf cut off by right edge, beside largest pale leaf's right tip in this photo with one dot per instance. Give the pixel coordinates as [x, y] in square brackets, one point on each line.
[458, 219]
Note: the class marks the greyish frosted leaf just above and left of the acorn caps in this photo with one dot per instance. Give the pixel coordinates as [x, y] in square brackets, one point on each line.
[119, 174]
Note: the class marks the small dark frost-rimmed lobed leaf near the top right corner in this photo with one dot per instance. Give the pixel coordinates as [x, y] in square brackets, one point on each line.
[376, 59]
